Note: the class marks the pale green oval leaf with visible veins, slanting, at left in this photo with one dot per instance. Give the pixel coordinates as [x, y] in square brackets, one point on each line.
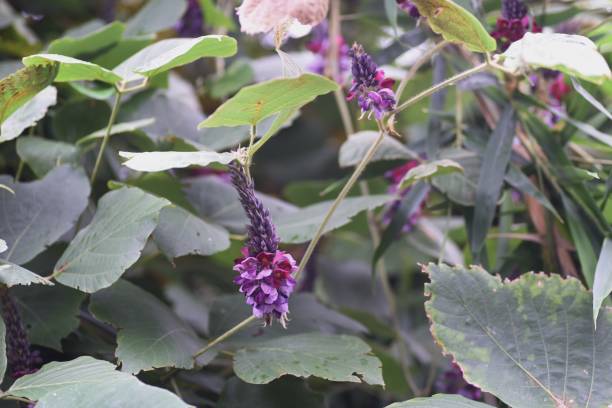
[112, 242]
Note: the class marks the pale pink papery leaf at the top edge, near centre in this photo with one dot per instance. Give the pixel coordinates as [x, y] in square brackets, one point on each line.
[262, 16]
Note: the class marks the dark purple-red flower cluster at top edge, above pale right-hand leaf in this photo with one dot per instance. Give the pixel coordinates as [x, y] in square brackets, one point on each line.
[513, 23]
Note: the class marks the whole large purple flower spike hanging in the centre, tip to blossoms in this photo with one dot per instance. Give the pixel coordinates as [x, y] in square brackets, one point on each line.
[265, 272]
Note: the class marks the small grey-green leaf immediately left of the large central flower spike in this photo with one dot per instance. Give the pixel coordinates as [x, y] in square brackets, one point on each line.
[181, 233]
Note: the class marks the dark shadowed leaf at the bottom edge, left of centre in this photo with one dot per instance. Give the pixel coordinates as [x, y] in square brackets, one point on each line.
[288, 392]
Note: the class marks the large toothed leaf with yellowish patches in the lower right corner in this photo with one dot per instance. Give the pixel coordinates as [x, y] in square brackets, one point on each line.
[536, 334]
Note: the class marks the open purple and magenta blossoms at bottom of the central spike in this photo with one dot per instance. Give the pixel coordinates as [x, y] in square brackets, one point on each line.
[267, 282]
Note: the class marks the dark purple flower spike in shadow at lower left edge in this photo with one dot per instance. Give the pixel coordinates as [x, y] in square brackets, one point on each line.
[21, 359]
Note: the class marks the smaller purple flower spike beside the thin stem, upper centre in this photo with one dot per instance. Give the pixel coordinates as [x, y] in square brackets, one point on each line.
[370, 86]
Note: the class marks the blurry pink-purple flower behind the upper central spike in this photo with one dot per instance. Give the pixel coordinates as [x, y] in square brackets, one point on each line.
[319, 45]
